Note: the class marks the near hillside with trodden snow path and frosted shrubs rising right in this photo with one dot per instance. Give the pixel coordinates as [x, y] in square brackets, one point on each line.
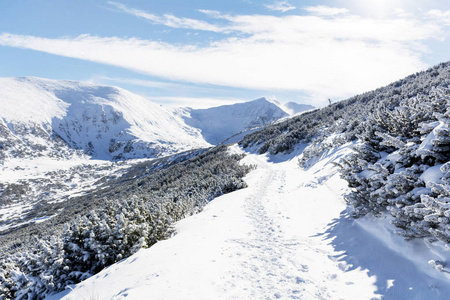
[301, 232]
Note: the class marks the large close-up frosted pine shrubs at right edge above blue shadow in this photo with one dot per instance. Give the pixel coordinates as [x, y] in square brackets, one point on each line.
[409, 178]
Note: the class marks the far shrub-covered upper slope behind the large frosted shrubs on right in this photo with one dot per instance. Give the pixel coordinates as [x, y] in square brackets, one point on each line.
[345, 116]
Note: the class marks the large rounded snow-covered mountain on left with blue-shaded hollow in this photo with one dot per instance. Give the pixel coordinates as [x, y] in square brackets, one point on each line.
[48, 117]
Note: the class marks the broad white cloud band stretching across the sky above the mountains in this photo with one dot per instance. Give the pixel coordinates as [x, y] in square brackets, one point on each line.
[323, 56]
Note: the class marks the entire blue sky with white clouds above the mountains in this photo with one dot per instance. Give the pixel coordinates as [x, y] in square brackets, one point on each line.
[204, 53]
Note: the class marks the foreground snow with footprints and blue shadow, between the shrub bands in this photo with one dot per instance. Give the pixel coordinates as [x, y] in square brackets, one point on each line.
[286, 236]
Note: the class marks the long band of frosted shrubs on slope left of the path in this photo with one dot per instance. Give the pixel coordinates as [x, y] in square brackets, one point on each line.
[133, 216]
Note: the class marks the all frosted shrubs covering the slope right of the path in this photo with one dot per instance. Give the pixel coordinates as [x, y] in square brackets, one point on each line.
[400, 164]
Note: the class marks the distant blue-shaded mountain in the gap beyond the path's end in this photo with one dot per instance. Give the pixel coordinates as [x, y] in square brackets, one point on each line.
[219, 123]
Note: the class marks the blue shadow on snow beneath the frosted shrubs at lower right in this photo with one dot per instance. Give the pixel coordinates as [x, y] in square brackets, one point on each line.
[396, 277]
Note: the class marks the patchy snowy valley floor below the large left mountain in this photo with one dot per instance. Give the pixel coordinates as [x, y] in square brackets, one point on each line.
[57, 179]
